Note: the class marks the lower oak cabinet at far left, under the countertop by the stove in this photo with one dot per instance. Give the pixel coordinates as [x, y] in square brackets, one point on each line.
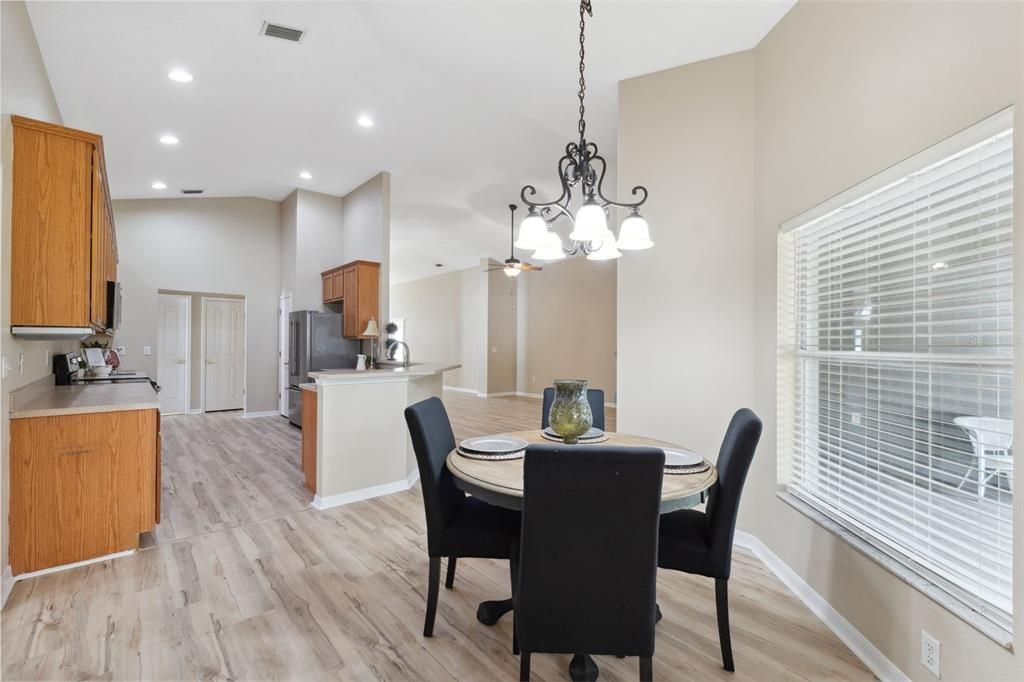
[82, 486]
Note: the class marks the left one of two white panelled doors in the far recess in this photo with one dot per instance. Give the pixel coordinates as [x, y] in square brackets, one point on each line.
[173, 353]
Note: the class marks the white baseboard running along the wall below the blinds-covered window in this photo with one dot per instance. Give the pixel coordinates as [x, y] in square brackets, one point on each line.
[877, 662]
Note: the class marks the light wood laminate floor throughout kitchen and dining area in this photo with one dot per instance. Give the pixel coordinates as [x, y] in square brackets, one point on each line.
[247, 582]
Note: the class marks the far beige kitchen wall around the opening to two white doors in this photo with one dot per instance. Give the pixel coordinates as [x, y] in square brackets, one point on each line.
[230, 246]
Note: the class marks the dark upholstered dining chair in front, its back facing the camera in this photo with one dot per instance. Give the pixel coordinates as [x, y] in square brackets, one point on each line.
[588, 555]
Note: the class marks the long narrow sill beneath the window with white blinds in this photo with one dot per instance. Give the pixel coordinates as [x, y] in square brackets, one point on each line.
[984, 625]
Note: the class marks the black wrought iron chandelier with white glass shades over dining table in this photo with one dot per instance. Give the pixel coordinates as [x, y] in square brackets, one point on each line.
[582, 168]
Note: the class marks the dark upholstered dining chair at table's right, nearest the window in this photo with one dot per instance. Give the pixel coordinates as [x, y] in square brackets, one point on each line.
[701, 542]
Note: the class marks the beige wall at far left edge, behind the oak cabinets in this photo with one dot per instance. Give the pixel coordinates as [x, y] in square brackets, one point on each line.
[25, 91]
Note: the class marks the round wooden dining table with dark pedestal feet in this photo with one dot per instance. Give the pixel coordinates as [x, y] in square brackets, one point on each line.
[500, 483]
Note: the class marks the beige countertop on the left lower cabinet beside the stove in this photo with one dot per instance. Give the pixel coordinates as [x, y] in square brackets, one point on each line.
[49, 401]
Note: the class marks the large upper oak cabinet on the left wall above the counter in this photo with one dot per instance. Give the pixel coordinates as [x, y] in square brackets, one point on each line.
[63, 239]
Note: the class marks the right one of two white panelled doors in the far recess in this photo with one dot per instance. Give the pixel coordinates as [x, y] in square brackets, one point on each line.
[225, 350]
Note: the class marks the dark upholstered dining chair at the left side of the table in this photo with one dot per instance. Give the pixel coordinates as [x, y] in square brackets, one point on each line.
[458, 526]
